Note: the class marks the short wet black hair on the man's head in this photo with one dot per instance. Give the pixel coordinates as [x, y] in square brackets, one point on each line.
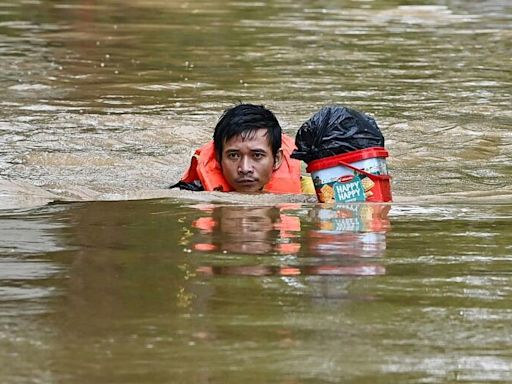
[244, 120]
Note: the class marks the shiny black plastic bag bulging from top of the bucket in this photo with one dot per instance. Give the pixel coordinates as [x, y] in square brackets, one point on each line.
[334, 130]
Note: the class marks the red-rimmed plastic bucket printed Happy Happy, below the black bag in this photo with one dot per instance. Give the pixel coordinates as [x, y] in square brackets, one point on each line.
[351, 177]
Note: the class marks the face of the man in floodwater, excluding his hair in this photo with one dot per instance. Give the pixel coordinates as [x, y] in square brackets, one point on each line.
[247, 163]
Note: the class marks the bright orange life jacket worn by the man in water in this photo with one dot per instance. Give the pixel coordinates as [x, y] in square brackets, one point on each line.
[205, 168]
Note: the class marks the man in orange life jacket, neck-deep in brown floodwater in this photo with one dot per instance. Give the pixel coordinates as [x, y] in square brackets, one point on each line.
[248, 154]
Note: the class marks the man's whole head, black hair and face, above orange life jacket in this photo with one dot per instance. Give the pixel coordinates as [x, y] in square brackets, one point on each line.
[247, 142]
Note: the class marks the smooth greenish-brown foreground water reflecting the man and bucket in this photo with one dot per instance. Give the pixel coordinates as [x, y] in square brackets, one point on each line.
[159, 291]
